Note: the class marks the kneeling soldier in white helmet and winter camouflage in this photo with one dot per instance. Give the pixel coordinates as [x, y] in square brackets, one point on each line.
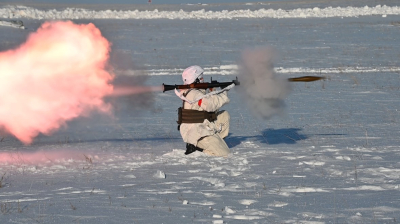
[202, 126]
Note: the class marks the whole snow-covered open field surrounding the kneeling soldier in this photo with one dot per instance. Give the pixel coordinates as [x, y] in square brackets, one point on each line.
[333, 157]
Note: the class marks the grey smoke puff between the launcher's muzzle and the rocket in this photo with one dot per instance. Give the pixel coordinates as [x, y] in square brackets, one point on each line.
[261, 88]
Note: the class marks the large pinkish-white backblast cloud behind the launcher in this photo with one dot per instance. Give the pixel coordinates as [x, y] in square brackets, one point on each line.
[58, 74]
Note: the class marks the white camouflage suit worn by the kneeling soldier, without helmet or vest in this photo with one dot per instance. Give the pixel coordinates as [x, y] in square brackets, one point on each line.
[207, 135]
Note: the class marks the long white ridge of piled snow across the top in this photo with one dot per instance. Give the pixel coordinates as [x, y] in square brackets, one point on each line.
[78, 13]
